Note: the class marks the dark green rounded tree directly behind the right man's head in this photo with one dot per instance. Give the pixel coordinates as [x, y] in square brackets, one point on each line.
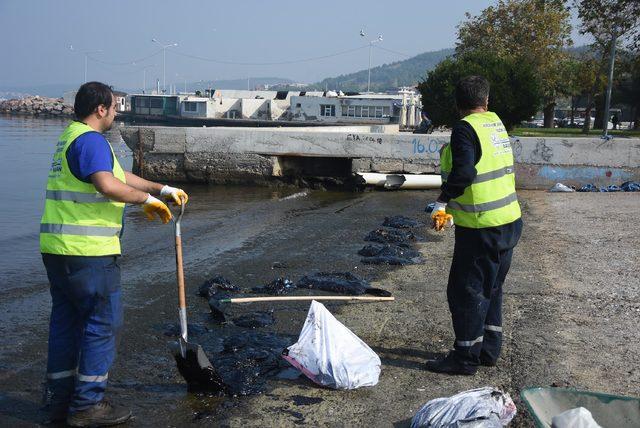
[515, 87]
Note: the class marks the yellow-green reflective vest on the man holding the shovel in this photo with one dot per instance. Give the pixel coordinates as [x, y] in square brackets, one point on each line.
[77, 219]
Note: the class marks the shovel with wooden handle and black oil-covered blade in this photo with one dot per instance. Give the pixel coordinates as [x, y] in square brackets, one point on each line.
[193, 364]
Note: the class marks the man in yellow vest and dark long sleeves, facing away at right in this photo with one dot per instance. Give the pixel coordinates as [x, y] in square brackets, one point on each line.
[478, 195]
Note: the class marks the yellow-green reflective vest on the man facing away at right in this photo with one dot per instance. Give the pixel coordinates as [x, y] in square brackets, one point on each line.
[491, 199]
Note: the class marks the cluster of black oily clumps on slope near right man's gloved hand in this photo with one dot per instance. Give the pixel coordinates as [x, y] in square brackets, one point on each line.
[392, 243]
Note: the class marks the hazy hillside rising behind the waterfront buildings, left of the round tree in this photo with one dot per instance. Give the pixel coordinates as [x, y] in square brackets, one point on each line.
[386, 77]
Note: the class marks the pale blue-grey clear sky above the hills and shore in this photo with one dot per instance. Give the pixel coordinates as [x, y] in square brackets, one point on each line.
[236, 39]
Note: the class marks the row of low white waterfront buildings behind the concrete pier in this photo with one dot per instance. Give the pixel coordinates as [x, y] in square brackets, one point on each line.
[313, 107]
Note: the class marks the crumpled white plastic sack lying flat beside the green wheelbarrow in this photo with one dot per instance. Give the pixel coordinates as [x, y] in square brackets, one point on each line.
[478, 408]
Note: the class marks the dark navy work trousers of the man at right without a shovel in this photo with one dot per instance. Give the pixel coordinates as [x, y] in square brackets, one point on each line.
[481, 260]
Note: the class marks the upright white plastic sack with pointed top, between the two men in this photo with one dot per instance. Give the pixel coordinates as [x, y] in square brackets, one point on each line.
[330, 354]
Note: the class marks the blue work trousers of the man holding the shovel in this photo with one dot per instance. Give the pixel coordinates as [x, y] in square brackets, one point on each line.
[86, 317]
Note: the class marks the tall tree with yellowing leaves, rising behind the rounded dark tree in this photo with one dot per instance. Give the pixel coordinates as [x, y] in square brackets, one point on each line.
[535, 31]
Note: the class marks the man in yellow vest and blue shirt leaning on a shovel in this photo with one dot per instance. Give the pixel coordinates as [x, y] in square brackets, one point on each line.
[80, 230]
